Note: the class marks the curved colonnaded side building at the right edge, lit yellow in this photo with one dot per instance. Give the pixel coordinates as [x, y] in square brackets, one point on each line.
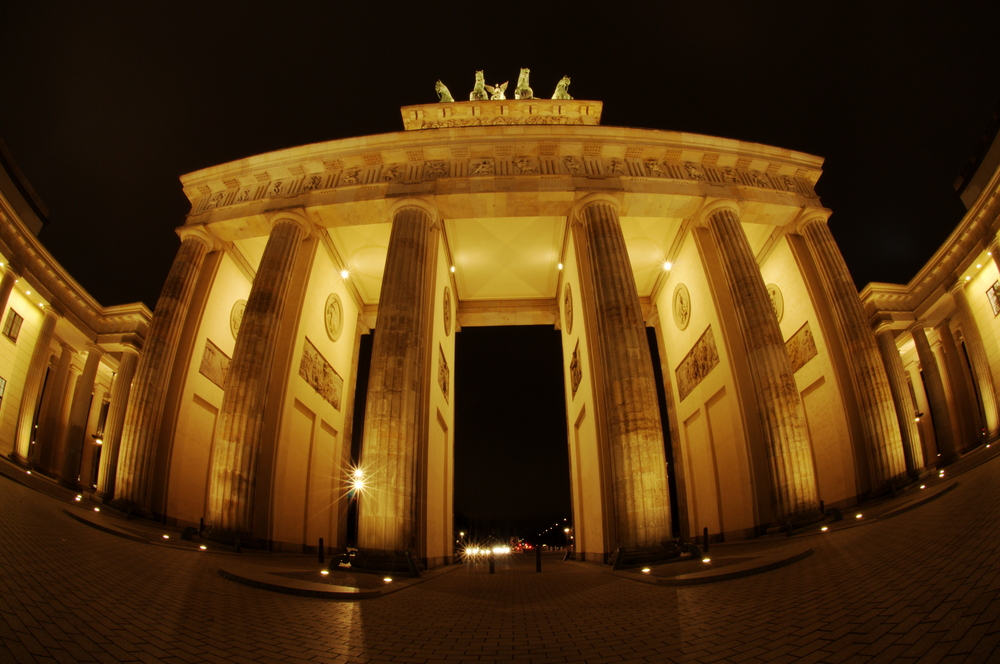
[939, 335]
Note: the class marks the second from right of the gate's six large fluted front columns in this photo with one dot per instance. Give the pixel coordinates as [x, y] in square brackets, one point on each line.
[793, 479]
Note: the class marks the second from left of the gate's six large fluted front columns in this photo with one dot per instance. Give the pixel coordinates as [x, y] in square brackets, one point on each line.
[233, 473]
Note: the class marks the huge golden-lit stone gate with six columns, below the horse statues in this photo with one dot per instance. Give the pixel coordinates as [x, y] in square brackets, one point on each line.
[513, 212]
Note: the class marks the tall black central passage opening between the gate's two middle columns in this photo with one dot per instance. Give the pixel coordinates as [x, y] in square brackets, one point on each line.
[512, 474]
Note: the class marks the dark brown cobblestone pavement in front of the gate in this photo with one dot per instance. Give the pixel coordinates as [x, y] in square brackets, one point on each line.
[919, 587]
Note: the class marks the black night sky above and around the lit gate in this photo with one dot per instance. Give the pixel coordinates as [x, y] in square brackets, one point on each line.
[104, 105]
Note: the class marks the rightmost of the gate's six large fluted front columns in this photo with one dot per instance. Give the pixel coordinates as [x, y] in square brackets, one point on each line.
[883, 439]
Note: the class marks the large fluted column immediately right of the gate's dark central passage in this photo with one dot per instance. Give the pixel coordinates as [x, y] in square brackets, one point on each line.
[634, 432]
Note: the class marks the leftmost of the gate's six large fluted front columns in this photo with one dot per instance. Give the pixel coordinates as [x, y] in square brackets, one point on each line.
[152, 375]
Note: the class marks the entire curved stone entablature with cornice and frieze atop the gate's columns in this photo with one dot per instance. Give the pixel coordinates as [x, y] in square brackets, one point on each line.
[553, 156]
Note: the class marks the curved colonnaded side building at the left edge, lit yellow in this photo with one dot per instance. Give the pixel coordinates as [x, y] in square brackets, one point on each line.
[66, 362]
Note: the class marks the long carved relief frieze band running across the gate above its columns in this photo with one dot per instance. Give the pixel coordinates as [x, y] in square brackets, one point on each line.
[373, 172]
